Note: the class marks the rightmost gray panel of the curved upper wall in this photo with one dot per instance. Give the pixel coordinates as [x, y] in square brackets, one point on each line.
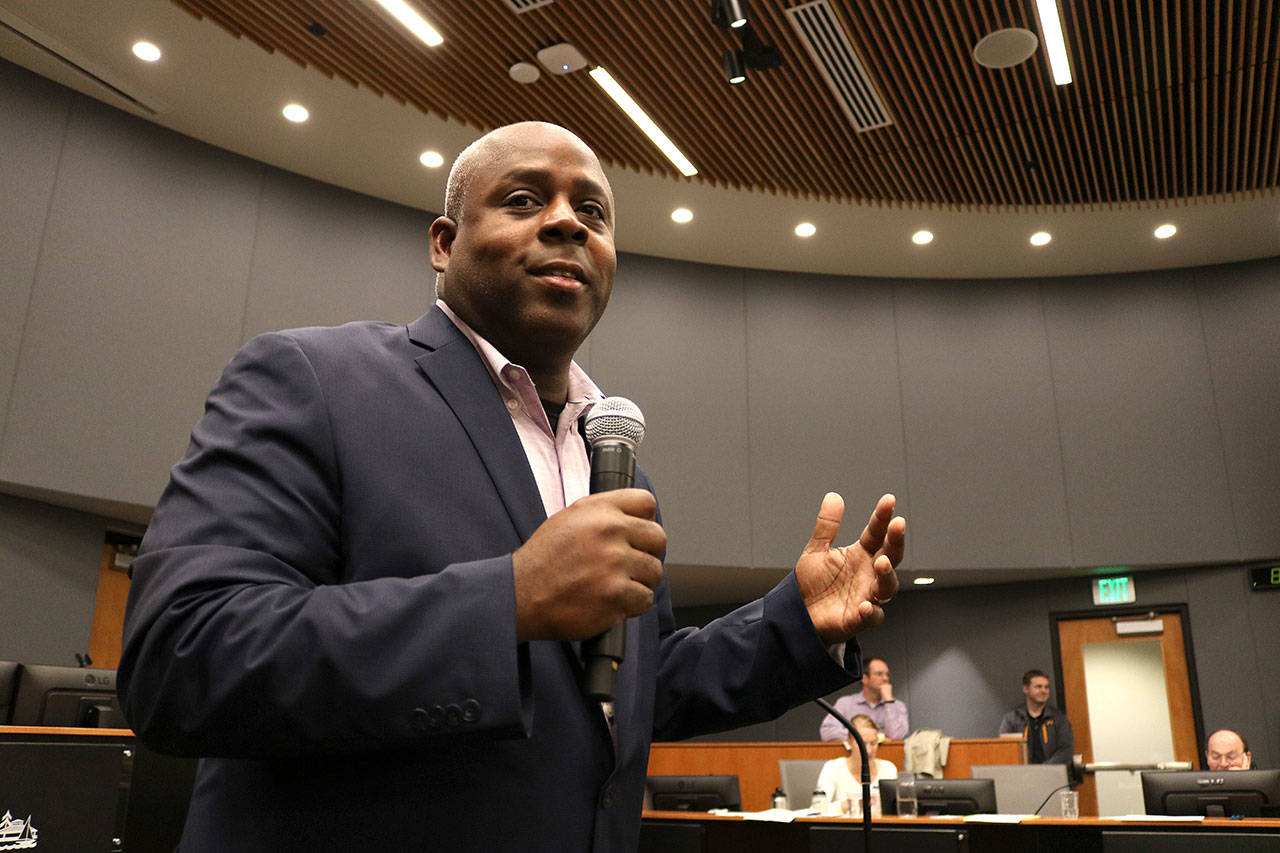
[1241, 305]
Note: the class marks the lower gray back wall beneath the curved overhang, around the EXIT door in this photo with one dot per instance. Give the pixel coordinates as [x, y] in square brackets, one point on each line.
[957, 656]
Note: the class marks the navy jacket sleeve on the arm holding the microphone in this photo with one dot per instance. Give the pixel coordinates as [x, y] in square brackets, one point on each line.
[246, 637]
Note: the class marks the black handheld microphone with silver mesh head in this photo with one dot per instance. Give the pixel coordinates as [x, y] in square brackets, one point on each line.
[615, 428]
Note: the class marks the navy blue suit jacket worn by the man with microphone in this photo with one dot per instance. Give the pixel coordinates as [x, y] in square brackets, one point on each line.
[324, 610]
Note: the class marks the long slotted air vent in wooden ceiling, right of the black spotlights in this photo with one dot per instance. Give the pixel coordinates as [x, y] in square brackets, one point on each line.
[829, 45]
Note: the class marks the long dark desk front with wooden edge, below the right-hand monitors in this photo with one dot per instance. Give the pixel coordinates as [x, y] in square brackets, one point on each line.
[685, 833]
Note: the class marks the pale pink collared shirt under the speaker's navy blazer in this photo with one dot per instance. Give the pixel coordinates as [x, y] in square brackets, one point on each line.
[557, 455]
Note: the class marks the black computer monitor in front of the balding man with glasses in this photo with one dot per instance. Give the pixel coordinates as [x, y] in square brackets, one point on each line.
[1213, 793]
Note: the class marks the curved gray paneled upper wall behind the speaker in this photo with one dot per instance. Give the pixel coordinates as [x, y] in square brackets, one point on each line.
[1026, 423]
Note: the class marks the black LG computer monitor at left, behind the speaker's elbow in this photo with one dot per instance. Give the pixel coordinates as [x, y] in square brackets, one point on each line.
[66, 696]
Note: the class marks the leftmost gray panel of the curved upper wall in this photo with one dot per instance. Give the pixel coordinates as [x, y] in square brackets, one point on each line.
[29, 163]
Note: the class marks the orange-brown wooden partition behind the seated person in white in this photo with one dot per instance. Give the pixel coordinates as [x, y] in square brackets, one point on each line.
[757, 764]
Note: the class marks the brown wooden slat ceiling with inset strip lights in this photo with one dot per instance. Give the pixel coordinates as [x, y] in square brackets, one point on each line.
[1173, 99]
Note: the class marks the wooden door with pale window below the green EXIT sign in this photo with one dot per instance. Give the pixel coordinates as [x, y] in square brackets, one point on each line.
[1076, 635]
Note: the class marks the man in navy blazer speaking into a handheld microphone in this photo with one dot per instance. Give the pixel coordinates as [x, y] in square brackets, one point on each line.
[354, 604]
